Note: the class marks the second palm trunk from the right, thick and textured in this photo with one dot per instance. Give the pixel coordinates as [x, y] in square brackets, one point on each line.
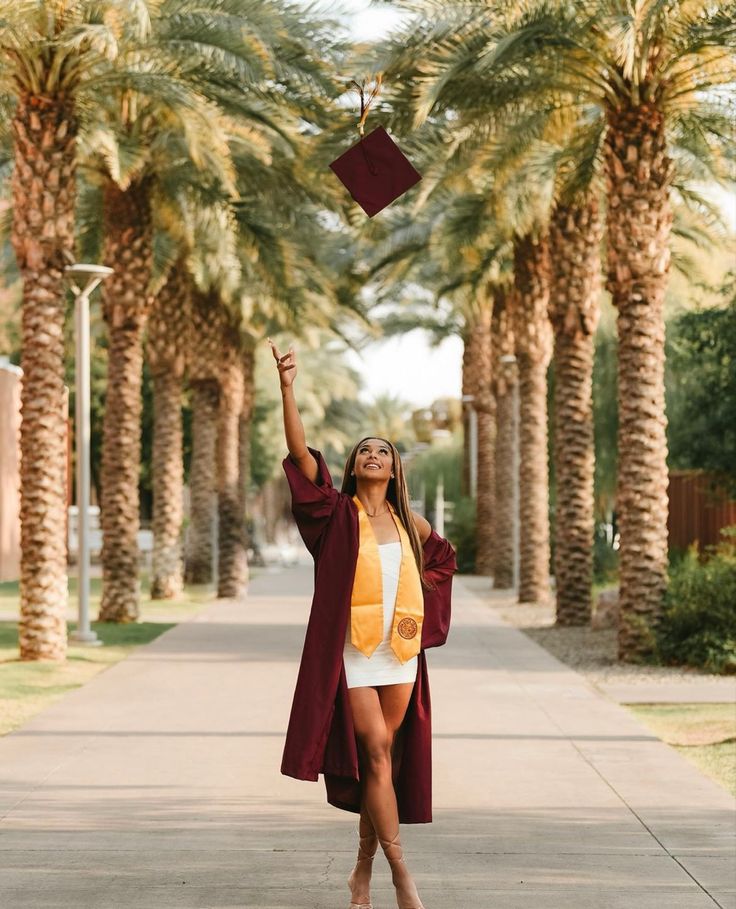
[575, 236]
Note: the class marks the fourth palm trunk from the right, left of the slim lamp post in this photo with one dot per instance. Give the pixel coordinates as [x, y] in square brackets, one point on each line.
[507, 430]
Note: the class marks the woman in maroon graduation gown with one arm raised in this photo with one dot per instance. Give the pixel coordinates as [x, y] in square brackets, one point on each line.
[361, 708]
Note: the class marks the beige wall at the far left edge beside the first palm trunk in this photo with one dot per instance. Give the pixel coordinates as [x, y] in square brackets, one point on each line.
[9, 472]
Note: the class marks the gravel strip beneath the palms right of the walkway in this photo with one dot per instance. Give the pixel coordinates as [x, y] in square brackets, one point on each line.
[593, 652]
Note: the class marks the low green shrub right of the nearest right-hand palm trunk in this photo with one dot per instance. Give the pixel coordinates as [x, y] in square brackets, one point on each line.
[698, 625]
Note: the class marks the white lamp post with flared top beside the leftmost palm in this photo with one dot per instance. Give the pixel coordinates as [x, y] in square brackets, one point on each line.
[83, 279]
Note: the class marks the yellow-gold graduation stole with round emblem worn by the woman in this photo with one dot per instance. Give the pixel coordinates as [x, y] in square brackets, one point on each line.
[366, 601]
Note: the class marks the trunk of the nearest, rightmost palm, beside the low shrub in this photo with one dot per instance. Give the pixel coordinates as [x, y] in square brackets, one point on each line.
[639, 219]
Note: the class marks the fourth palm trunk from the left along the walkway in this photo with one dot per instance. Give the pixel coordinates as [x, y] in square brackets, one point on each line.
[205, 397]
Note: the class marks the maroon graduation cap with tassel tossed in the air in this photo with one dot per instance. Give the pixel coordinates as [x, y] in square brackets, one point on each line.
[375, 170]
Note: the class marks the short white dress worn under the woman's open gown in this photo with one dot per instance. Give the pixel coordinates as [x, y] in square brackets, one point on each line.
[382, 667]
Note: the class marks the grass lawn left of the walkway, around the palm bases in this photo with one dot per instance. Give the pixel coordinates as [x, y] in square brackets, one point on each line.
[27, 687]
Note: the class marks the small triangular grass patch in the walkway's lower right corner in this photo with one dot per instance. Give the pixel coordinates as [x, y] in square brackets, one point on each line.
[704, 733]
